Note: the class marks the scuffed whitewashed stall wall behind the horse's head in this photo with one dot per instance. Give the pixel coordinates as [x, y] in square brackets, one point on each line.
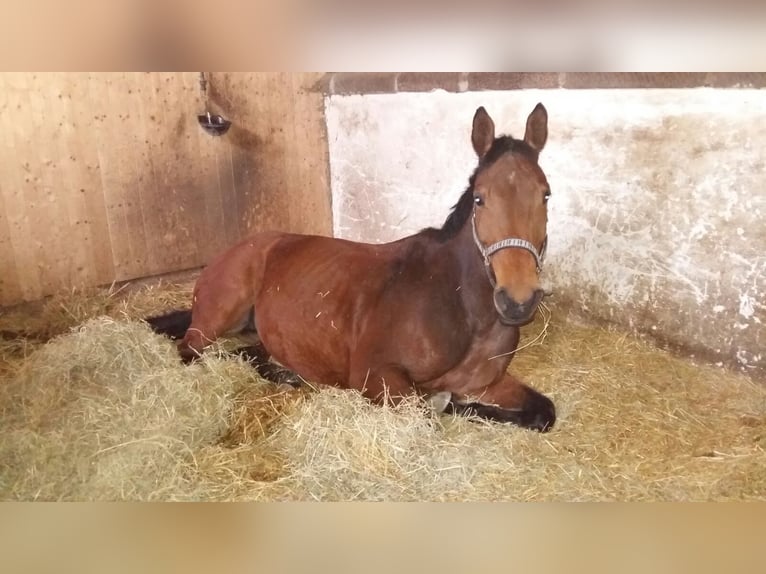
[656, 219]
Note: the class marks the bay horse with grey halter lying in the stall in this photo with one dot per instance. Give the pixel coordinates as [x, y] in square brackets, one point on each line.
[435, 313]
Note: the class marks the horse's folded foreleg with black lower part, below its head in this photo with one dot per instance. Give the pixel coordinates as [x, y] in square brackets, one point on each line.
[509, 401]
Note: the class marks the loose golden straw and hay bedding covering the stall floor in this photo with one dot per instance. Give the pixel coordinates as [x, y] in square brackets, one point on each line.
[106, 412]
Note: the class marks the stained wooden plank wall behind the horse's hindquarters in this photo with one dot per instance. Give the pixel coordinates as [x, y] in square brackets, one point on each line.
[108, 177]
